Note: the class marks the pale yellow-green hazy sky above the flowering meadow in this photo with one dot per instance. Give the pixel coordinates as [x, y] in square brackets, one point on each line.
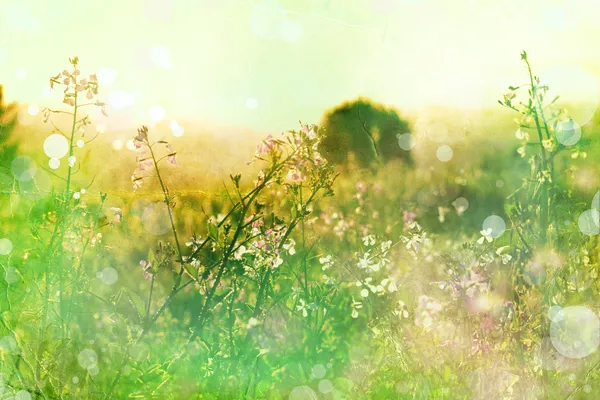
[265, 64]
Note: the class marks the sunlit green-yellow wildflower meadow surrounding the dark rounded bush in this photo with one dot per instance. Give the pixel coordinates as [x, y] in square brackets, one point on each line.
[214, 267]
